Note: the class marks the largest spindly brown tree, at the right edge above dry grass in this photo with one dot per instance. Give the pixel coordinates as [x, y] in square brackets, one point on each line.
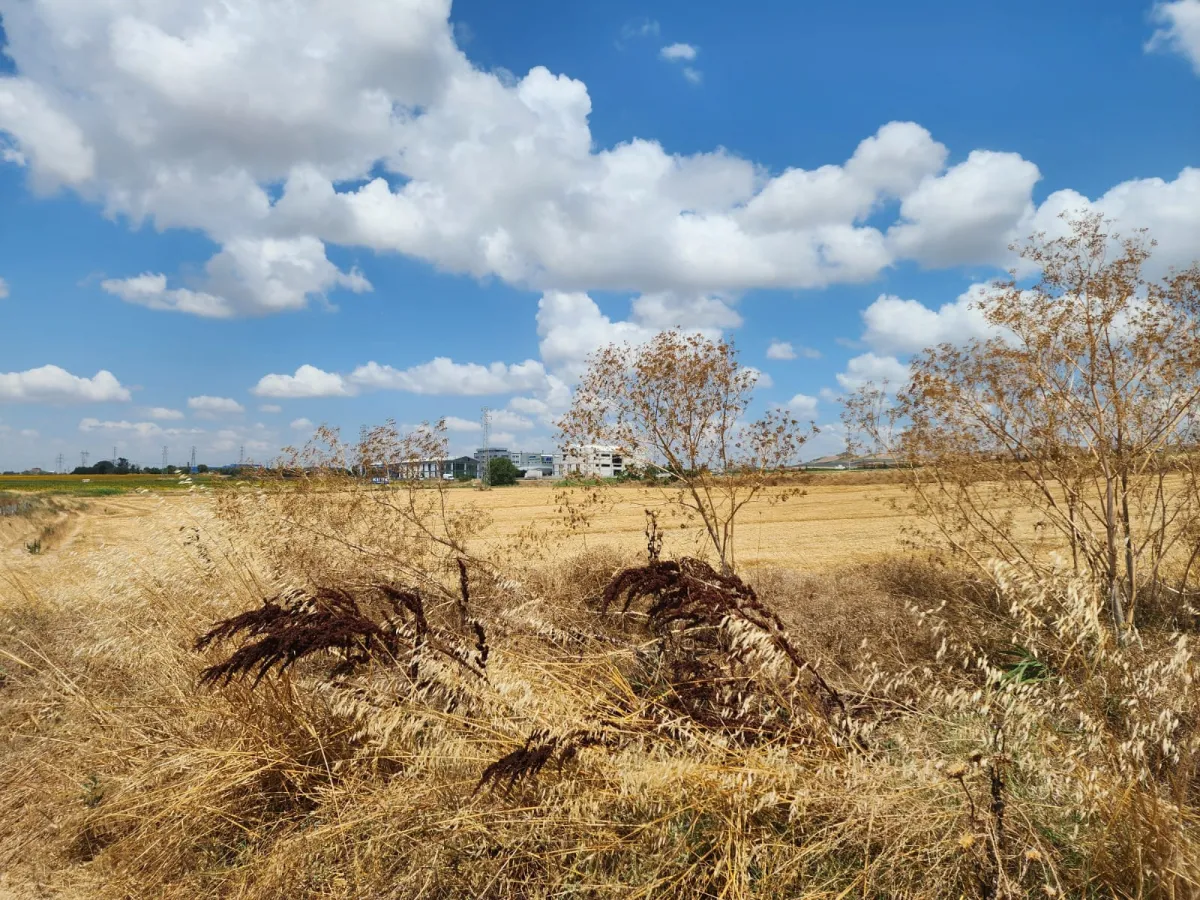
[1076, 419]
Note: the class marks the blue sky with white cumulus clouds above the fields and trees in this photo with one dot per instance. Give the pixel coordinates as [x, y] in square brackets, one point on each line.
[225, 223]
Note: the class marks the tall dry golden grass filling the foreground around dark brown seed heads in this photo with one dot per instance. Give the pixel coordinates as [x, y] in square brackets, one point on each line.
[123, 777]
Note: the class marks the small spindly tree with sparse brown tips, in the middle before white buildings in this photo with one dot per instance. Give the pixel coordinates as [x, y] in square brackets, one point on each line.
[680, 404]
